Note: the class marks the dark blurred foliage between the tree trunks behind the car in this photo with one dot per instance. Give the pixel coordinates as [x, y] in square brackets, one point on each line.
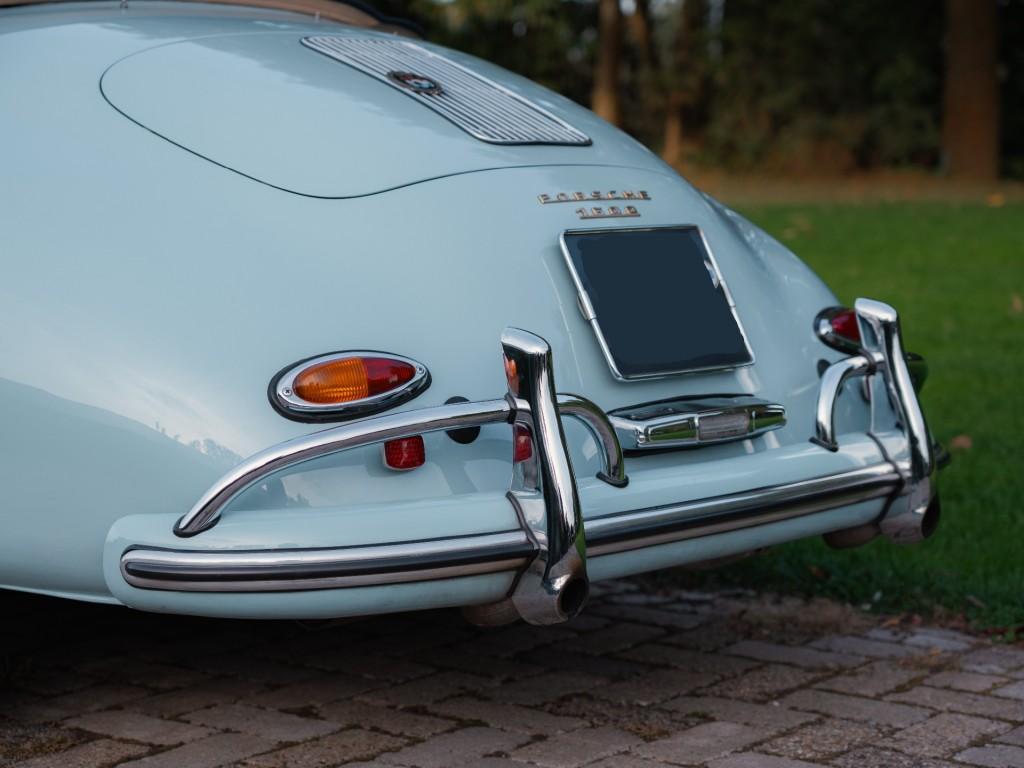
[801, 86]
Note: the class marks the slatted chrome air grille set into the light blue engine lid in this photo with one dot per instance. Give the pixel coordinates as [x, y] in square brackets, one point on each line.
[480, 107]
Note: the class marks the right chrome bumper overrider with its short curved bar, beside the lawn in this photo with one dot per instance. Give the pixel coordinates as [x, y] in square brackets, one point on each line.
[914, 514]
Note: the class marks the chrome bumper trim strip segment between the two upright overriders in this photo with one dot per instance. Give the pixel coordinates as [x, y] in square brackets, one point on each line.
[647, 528]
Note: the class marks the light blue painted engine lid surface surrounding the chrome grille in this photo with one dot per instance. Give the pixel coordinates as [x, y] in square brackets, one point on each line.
[316, 126]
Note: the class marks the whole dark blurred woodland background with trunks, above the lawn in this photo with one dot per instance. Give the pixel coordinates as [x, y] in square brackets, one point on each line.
[796, 87]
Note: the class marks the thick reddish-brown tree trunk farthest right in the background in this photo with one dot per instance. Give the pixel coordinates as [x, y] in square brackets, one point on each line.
[971, 119]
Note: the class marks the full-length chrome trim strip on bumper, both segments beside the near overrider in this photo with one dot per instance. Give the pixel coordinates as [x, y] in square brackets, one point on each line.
[405, 563]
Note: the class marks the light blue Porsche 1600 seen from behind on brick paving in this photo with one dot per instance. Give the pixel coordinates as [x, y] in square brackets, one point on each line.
[304, 317]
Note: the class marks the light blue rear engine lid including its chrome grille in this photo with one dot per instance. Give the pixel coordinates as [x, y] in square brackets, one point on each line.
[351, 113]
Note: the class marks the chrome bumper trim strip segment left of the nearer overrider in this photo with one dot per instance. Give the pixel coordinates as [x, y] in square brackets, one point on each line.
[292, 571]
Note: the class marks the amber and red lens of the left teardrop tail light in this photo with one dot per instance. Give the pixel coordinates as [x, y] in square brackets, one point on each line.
[351, 379]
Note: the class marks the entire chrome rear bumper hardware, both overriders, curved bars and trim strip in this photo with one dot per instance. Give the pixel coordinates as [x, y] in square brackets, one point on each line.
[548, 553]
